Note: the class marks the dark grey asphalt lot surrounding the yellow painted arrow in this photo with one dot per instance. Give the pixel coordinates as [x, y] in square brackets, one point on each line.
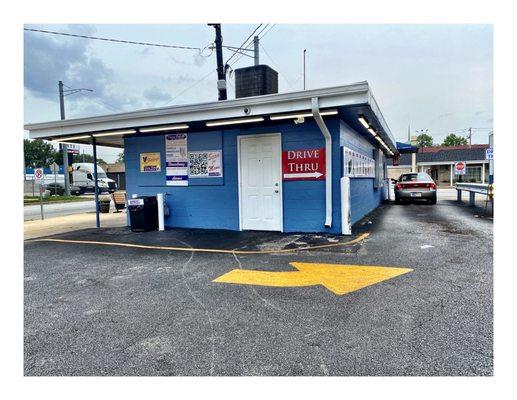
[94, 309]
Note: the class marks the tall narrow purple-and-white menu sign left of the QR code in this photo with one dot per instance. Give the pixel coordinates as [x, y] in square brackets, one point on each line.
[176, 159]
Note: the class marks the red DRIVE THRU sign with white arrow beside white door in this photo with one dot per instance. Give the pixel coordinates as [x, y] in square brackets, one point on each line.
[303, 165]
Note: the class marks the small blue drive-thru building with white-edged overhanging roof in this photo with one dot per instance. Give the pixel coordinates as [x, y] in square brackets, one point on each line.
[306, 161]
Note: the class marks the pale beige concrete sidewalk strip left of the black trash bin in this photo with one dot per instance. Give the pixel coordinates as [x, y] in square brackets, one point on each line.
[53, 226]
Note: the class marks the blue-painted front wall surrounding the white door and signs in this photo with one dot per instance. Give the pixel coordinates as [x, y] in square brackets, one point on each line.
[217, 205]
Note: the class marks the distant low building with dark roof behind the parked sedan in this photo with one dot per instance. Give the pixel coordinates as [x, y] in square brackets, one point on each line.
[439, 163]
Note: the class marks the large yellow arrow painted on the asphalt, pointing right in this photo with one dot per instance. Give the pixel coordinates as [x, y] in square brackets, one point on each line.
[337, 278]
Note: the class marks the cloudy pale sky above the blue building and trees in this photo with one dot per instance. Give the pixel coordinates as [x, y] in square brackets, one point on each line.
[430, 77]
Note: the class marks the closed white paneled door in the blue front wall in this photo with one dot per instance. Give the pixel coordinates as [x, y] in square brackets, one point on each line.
[260, 185]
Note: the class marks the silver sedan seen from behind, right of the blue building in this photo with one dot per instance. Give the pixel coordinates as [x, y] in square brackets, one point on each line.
[415, 186]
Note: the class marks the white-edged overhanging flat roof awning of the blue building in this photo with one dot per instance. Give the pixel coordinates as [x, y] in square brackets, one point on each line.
[350, 100]
